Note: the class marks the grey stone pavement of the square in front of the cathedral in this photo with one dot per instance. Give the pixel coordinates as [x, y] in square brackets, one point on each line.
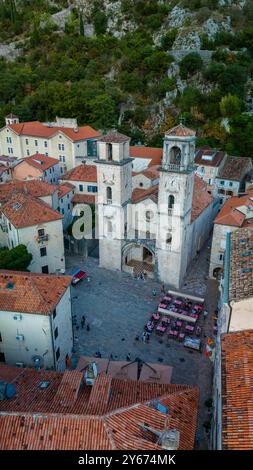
[116, 307]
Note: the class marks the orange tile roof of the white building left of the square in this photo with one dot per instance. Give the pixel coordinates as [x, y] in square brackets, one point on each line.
[31, 292]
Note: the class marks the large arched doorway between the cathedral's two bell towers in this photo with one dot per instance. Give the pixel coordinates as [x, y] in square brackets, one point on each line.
[138, 258]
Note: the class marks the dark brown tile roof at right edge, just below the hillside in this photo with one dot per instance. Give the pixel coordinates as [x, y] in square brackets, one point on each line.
[235, 168]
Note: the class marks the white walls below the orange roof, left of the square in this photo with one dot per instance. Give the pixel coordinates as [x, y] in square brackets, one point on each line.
[38, 336]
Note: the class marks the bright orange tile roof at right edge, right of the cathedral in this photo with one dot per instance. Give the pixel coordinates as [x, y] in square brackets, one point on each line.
[230, 213]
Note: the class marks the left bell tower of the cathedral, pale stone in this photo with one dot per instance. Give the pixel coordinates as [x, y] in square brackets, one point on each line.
[114, 176]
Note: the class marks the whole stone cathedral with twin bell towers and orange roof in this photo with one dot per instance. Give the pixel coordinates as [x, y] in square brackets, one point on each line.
[158, 229]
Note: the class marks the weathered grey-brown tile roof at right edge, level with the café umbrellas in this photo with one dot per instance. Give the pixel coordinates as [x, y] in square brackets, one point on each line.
[241, 265]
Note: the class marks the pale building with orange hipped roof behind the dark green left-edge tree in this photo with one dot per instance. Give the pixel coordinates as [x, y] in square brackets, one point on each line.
[30, 221]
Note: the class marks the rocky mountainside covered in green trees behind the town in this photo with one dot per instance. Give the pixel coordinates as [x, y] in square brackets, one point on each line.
[138, 65]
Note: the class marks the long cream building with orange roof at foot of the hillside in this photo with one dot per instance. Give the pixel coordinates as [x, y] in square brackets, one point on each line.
[62, 139]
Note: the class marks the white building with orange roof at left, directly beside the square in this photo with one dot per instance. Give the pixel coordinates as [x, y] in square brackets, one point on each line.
[35, 319]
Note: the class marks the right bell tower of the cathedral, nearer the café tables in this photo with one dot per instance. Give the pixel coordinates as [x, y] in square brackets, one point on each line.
[175, 204]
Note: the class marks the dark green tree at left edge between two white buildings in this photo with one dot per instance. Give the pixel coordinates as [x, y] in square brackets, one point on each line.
[17, 259]
